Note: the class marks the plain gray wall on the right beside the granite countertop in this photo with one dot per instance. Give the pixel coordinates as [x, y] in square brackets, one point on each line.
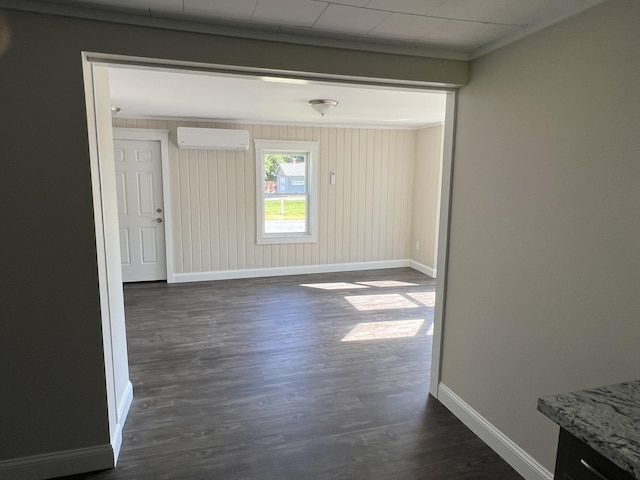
[543, 290]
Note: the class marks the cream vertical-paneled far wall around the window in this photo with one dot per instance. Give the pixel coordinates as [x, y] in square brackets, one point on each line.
[365, 217]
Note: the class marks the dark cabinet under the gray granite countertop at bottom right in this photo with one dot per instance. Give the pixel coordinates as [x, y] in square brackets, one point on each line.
[578, 461]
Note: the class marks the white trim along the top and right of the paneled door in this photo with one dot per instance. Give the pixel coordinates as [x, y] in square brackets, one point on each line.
[163, 137]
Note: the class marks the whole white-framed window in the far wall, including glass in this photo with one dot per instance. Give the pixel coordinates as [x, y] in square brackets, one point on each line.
[286, 194]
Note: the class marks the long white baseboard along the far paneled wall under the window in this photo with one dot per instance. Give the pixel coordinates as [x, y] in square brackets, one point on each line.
[280, 271]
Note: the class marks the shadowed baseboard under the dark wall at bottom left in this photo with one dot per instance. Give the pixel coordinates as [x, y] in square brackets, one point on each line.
[57, 464]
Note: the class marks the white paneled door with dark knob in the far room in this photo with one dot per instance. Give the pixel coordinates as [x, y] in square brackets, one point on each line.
[140, 210]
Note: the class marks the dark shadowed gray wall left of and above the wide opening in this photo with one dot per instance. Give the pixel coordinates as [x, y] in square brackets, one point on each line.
[51, 360]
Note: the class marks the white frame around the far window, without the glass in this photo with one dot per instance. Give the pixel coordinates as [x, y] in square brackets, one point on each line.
[310, 149]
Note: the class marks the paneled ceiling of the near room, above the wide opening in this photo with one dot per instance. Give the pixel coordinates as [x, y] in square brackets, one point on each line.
[459, 29]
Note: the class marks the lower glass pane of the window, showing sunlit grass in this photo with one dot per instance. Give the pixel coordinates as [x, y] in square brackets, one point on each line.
[285, 214]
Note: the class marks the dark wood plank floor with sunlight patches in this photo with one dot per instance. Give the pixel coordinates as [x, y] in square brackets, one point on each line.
[250, 379]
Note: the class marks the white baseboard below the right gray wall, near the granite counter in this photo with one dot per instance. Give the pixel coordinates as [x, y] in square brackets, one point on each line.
[515, 456]
